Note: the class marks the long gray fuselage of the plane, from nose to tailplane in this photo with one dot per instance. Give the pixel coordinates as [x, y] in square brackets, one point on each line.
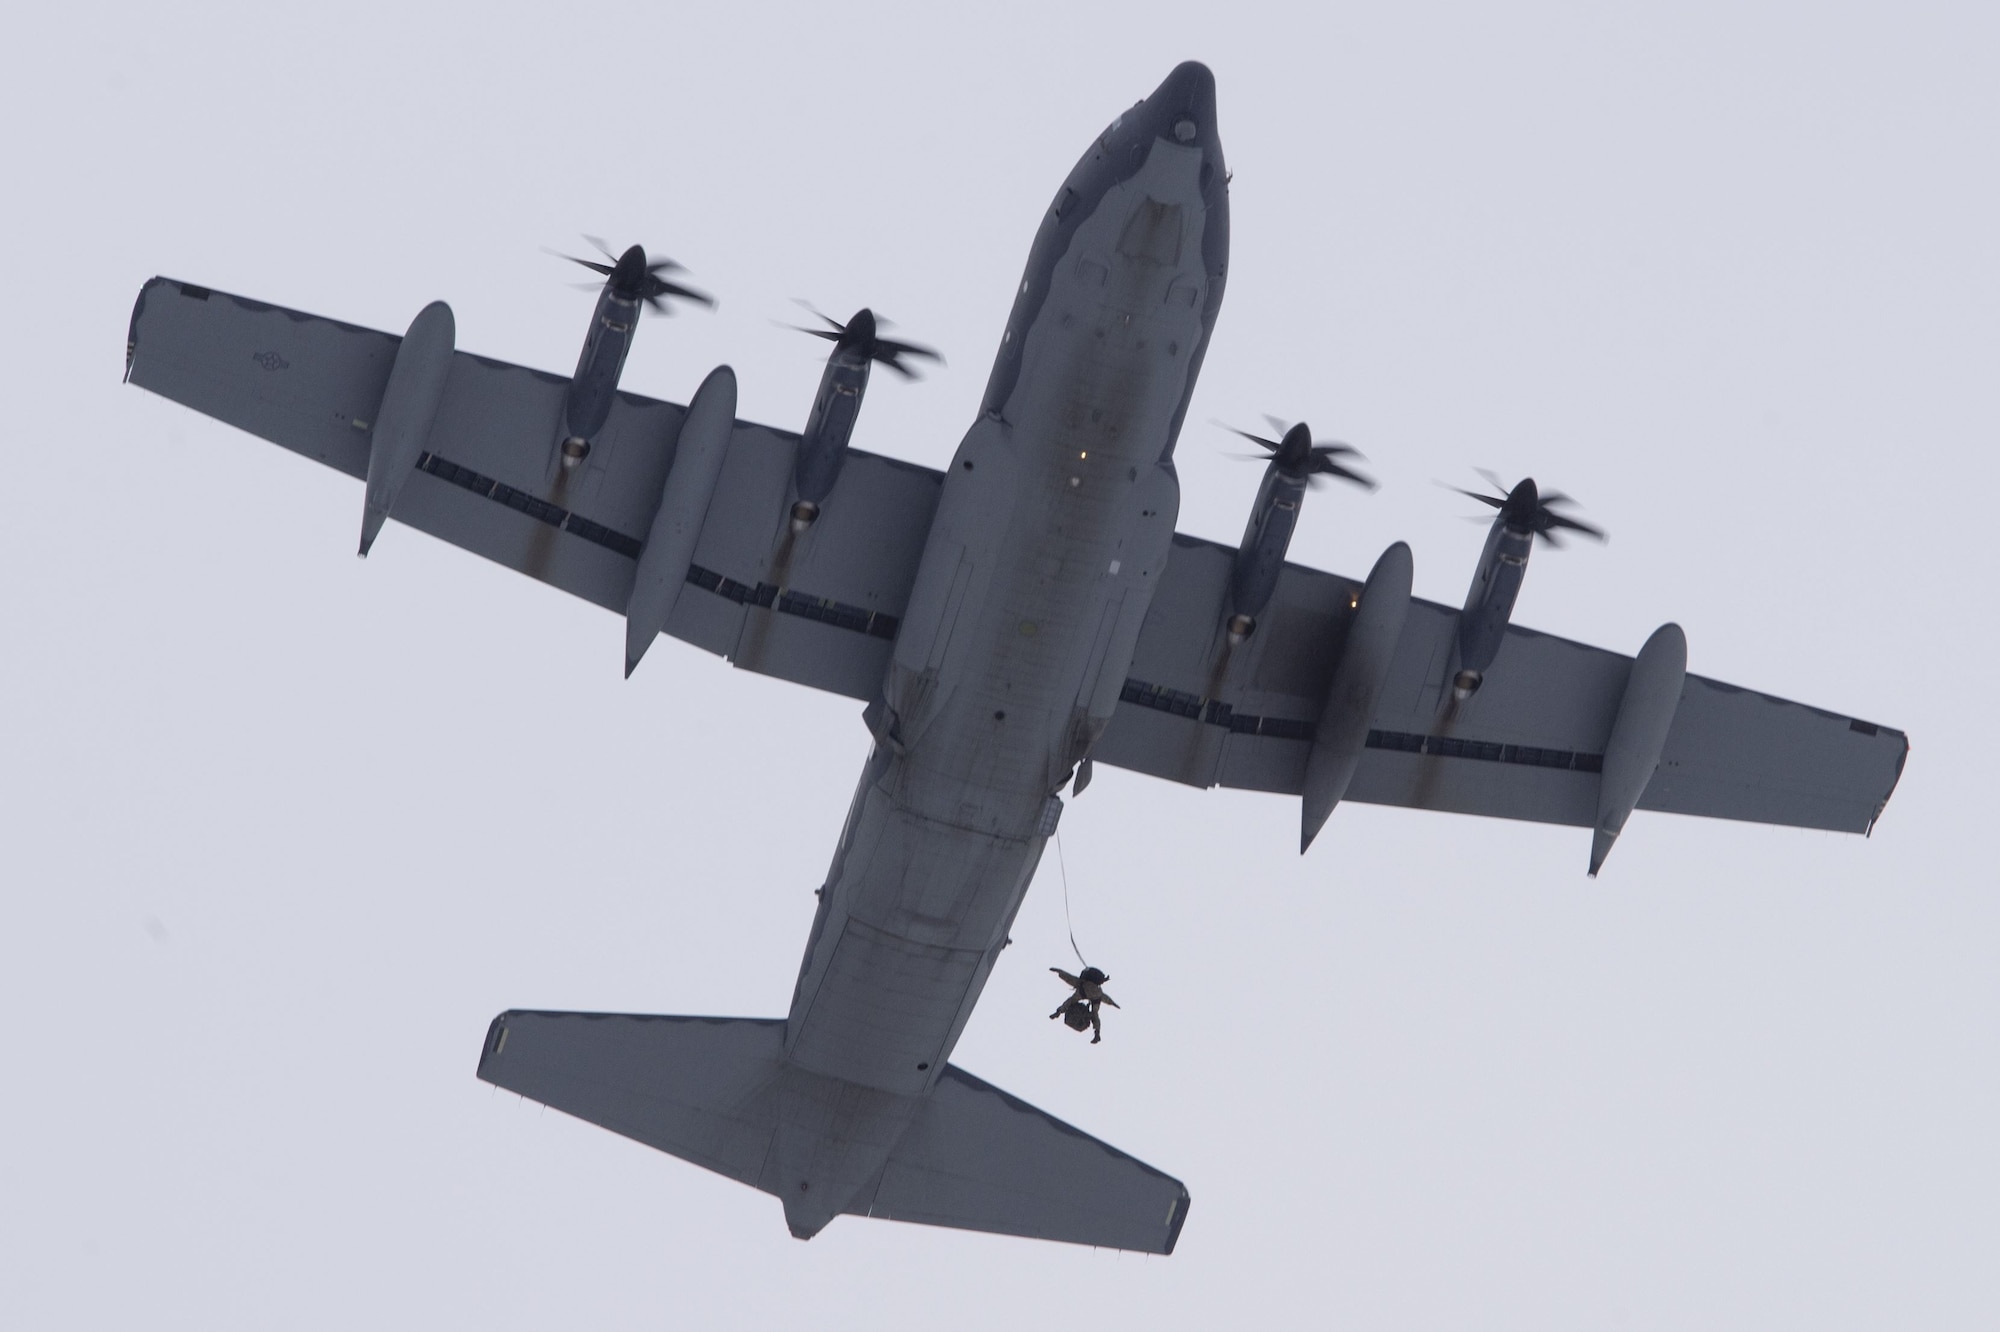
[1051, 535]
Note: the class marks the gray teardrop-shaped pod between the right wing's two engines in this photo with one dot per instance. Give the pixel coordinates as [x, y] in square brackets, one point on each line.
[1351, 699]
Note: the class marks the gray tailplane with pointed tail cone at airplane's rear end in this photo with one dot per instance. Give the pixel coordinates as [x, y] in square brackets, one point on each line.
[721, 1095]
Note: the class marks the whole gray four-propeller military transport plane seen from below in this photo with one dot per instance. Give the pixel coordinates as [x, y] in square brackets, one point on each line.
[1009, 623]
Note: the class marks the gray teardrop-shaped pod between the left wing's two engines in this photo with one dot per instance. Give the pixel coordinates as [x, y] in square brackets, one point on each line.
[677, 525]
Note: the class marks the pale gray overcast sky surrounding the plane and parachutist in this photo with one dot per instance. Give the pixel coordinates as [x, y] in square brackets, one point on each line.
[283, 831]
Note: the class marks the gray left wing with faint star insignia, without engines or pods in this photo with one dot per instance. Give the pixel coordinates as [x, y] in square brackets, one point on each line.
[821, 613]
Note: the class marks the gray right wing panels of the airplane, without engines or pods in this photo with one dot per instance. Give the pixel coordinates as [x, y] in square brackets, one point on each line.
[1529, 745]
